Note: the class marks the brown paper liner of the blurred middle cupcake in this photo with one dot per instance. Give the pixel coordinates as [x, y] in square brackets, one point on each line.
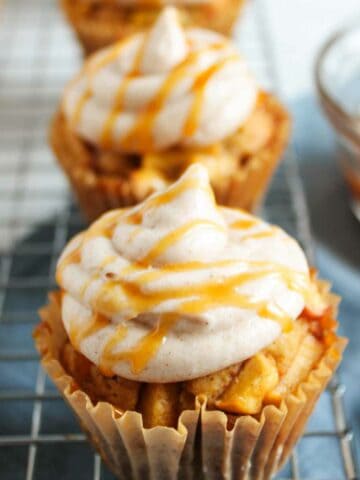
[98, 192]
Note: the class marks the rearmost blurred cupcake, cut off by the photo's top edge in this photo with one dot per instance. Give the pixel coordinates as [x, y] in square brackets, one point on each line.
[99, 23]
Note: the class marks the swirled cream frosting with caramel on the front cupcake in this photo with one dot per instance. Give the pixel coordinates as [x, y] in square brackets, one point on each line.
[177, 287]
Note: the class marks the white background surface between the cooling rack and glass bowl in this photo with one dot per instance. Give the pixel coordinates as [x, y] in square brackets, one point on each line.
[299, 27]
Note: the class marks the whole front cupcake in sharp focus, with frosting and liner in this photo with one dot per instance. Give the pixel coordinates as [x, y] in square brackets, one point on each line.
[189, 338]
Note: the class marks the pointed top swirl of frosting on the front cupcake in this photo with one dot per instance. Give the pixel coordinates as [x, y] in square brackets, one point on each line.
[181, 216]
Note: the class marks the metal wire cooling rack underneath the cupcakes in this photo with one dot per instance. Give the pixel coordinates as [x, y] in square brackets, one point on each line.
[39, 438]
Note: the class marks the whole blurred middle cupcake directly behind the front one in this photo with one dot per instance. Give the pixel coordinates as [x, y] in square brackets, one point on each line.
[141, 111]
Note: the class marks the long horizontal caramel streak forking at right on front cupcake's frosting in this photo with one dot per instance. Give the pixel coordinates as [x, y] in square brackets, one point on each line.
[194, 299]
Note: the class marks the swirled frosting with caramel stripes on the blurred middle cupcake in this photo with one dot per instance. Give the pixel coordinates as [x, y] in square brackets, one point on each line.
[161, 88]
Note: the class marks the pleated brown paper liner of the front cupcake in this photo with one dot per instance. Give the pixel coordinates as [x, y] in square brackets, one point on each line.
[204, 442]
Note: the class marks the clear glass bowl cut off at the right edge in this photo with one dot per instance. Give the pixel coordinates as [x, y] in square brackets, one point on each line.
[337, 76]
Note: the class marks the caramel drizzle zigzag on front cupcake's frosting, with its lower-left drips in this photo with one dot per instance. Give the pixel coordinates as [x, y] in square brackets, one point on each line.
[197, 299]
